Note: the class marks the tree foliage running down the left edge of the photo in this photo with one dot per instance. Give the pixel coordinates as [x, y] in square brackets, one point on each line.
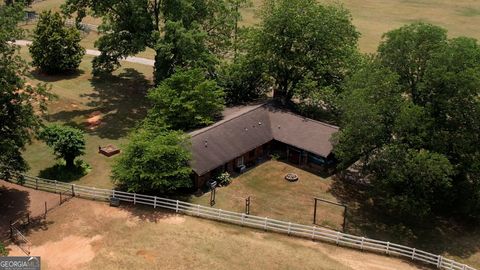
[20, 103]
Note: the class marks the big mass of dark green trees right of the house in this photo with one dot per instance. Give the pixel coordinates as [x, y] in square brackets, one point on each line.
[414, 130]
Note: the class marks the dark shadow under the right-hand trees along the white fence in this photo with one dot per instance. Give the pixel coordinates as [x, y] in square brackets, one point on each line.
[437, 236]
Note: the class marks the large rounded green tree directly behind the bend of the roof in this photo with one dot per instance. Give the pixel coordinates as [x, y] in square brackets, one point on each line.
[303, 42]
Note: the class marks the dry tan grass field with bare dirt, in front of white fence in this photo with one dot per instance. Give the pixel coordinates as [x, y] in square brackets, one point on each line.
[91, 235]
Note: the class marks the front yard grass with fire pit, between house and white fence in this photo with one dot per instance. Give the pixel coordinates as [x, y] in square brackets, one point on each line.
[274, 197]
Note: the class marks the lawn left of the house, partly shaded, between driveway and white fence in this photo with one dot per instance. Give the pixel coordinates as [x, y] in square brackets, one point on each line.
[119, 98]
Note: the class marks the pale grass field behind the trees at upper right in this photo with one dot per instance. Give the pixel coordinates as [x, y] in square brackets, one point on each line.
[375, 17]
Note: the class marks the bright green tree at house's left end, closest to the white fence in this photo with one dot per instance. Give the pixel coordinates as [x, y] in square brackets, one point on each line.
[155, 159]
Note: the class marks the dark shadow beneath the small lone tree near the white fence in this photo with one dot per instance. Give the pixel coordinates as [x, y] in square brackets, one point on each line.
[61, 173]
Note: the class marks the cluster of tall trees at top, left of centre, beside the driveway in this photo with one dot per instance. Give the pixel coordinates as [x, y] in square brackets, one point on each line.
[183, 33]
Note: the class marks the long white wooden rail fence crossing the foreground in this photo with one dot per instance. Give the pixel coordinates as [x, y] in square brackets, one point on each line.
[264, 223]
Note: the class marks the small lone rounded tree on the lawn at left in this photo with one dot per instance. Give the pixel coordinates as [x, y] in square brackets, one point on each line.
[67, 142]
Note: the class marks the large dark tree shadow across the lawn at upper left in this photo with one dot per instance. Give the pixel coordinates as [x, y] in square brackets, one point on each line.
[119, 99]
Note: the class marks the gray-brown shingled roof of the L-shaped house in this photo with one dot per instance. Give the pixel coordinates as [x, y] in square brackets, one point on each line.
[252, 127]
